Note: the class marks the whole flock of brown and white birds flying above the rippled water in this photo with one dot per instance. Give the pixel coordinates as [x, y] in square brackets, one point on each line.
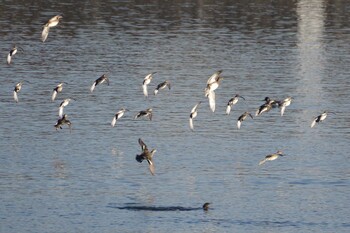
[212, 84]
